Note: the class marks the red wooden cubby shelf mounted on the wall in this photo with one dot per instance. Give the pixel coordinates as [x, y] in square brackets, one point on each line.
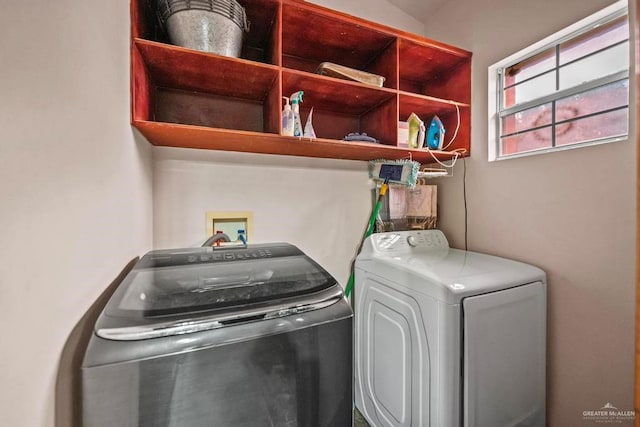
[186, 98]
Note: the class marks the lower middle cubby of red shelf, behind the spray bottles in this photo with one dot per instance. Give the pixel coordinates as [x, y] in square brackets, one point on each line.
[341, 107]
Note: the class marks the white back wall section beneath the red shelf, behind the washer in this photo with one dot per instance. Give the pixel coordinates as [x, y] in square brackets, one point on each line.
[321, 206]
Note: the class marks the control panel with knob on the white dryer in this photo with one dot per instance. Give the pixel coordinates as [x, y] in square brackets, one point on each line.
[407, 241]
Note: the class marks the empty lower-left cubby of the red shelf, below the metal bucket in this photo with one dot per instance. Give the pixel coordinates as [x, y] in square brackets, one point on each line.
[198, 88]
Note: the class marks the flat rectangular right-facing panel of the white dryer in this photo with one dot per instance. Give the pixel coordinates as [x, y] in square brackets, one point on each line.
[504, 357]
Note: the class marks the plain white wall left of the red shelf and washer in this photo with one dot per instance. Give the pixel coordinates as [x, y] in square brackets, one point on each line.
[75, 187]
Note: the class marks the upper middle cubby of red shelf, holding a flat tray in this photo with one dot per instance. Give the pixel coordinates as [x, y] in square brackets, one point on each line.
[313, 35]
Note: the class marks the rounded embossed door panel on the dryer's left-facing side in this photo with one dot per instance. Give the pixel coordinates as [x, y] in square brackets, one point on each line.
[392, 357]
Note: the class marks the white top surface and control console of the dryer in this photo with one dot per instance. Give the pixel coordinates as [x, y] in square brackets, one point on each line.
[422, 262]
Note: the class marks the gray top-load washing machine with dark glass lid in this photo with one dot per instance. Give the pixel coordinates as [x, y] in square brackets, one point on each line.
[257, 335]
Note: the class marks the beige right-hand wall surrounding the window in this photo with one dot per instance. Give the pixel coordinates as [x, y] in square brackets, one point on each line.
[571, 213]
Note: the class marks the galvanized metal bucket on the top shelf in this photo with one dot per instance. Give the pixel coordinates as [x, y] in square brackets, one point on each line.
[215, 26]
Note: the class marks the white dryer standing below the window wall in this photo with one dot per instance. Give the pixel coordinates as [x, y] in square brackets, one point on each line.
[446, 337]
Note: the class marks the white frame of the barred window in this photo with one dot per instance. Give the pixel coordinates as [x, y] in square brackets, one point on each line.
[611, 12]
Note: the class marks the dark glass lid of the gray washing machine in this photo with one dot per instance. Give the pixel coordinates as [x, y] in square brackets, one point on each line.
[183, 282]
